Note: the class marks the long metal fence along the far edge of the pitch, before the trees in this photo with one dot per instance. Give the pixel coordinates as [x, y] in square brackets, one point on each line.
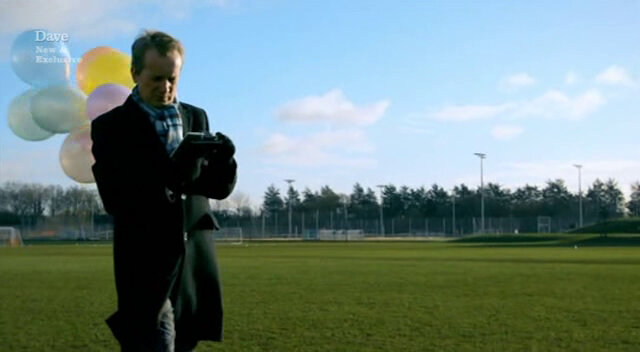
[315, 225]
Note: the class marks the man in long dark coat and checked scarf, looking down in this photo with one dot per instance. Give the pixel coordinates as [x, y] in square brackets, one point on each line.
[166, 274]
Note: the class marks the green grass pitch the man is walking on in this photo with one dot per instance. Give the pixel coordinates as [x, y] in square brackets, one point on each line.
[381, 296]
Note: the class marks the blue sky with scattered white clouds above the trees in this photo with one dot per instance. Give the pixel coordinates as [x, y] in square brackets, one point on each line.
[376, 92]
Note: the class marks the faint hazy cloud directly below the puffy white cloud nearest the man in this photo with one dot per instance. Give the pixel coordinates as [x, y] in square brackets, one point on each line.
[334, 148]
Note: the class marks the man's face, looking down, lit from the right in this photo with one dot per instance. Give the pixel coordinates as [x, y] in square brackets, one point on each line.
[158, 80]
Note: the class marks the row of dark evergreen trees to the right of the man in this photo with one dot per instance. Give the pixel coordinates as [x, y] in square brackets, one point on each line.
[602, 200]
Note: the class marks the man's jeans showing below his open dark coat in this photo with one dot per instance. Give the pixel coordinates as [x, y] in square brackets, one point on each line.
[160, 340]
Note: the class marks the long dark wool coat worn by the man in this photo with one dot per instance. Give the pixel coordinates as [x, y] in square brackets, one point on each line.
[162, 242]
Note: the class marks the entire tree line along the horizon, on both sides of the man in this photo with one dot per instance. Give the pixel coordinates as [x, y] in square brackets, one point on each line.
[27, 204]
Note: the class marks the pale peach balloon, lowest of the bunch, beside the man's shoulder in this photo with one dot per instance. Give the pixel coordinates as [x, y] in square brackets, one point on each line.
[75, 155]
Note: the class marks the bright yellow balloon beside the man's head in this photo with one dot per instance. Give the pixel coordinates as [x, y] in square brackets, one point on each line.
[103, 65]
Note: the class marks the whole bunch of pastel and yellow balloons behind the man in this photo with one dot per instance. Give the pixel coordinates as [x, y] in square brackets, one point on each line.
[52, 105]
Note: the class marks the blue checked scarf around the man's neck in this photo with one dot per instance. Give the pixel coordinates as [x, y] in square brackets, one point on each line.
[166, 120]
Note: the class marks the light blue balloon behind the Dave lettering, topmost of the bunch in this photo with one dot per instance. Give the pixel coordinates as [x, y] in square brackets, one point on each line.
[40, 62]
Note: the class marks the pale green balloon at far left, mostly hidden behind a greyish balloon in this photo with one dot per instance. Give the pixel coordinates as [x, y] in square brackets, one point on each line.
[21, 121]
